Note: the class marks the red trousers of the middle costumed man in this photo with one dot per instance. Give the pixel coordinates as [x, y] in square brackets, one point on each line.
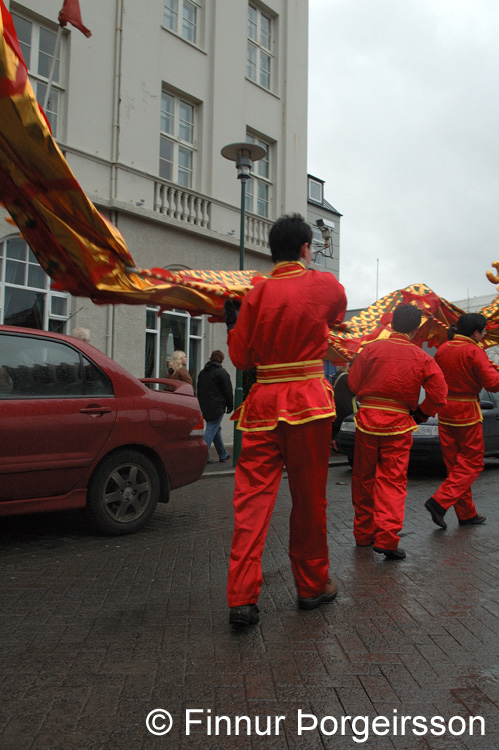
[379, 482]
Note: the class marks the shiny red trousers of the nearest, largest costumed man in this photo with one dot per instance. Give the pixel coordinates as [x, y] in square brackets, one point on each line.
[304, 450]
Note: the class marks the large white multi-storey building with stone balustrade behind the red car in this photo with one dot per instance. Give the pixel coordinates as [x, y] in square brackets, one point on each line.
[141, 110]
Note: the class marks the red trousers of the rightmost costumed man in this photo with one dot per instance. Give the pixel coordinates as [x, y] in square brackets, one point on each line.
[462, 449]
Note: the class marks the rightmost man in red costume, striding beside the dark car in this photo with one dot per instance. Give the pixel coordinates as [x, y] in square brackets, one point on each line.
[467, 370]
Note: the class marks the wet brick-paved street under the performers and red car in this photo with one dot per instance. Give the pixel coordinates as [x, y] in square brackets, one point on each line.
[96, 632]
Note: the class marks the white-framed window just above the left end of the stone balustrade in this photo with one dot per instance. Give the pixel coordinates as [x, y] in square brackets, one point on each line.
[177, 144]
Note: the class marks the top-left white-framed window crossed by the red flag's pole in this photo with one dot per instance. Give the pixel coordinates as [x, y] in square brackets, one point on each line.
[38, 47]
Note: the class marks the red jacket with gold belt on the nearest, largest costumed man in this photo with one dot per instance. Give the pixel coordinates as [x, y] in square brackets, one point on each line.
[282, 330]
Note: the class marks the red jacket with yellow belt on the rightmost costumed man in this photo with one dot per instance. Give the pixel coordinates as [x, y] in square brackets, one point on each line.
[467, 370]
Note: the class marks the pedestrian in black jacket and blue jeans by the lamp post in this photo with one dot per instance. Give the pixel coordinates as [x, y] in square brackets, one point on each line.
[215, 398]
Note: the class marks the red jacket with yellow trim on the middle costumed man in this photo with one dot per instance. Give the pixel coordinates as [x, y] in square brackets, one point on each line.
[386, 377]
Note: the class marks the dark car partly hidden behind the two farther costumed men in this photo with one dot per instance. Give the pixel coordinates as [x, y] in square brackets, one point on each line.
[426, 444]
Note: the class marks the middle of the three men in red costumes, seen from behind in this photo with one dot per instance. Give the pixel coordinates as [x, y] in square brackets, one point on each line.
[387, 376]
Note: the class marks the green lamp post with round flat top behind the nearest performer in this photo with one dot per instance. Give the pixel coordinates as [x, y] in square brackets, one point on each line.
[243, 154]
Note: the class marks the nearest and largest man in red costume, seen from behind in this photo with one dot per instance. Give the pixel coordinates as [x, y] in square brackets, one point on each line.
[282, 330]
